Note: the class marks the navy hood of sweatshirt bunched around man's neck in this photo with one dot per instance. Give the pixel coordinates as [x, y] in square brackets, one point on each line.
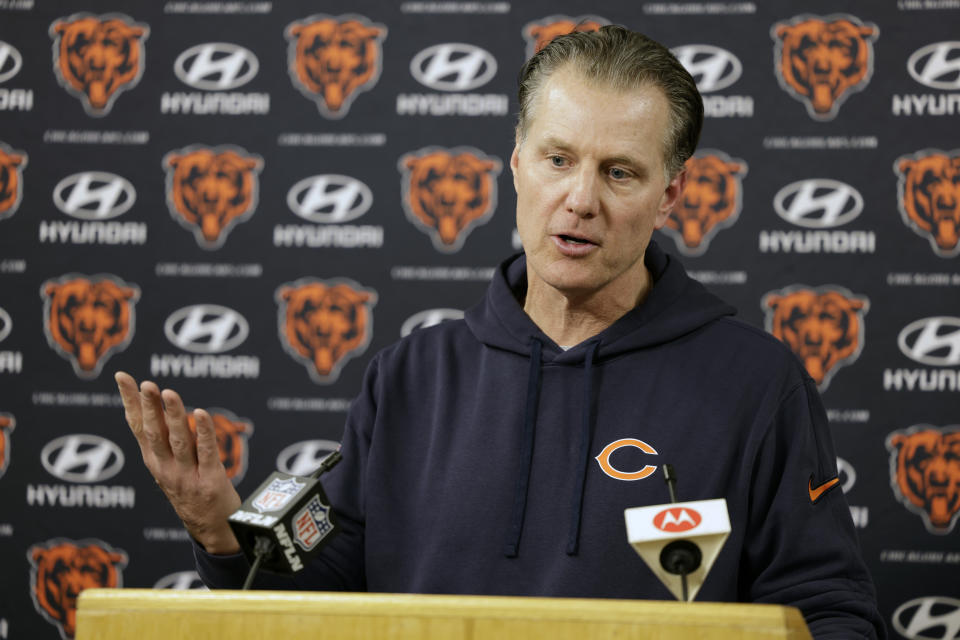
[676, 305]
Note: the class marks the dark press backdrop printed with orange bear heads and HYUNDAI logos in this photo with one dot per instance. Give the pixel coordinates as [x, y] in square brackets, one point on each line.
[246, 200]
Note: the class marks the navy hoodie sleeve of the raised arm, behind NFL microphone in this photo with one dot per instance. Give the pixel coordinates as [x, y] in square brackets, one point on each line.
[339, 566]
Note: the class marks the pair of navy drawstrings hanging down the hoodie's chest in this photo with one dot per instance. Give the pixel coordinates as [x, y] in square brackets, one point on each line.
[526, 451]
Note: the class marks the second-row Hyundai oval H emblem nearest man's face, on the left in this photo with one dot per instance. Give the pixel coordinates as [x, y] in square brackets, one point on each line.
[329, 198]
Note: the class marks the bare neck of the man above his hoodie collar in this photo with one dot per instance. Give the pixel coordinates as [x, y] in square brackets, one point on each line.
[569, 319]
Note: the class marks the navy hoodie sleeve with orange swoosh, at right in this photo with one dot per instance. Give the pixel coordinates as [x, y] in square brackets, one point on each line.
[801, 547]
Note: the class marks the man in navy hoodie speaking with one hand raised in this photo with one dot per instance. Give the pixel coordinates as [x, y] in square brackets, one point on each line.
[496, 455]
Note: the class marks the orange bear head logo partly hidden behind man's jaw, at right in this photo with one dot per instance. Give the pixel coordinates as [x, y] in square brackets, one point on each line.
[711, 201]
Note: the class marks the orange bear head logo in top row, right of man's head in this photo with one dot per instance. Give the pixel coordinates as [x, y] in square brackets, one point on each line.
[822, 61]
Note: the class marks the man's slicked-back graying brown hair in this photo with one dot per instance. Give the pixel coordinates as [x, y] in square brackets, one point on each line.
[623, 60]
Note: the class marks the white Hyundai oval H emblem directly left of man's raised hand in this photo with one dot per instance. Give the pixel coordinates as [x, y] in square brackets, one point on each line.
[82, 457]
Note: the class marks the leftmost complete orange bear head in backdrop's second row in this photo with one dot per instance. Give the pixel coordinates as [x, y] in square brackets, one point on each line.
[211, 190]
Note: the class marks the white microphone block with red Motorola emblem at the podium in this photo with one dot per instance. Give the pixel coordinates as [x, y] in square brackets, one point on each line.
[679, 541]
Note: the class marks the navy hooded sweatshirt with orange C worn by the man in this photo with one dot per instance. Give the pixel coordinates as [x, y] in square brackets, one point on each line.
[471, 461]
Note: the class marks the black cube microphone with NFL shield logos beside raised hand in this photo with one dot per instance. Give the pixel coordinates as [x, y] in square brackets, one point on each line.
[285, 521]
